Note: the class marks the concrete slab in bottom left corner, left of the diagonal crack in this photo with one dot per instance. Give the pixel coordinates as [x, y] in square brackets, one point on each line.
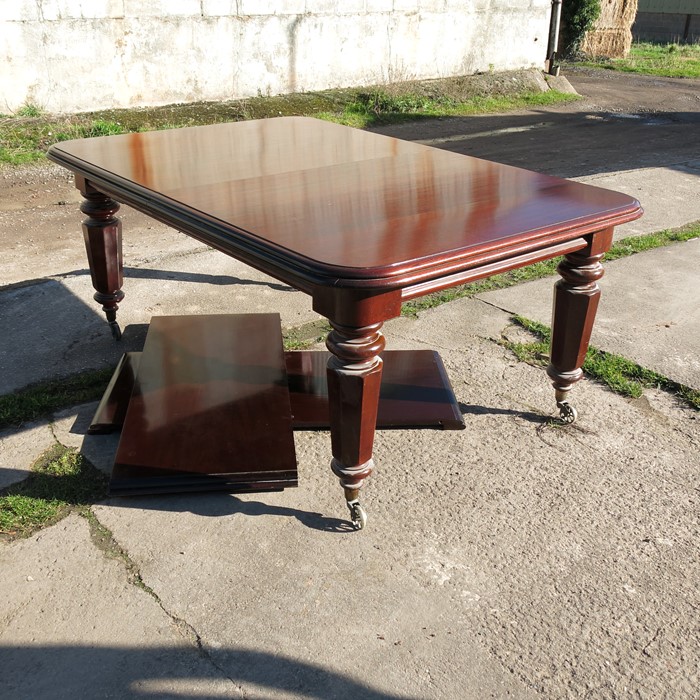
[73, 627]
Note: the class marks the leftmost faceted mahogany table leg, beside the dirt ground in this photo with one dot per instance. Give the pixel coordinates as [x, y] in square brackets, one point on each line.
[102, 232]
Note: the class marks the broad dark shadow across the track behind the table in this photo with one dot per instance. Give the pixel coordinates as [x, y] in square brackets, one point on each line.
[567, 143]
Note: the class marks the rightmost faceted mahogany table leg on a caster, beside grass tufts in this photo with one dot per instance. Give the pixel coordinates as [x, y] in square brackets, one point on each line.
[576, 298]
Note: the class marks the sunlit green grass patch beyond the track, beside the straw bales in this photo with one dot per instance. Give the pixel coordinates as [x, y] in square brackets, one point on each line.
[666, 60]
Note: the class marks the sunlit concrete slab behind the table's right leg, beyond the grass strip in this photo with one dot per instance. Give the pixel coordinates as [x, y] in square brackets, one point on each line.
[649, 310]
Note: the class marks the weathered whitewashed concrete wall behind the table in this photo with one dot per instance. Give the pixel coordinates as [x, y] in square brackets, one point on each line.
[78, 55]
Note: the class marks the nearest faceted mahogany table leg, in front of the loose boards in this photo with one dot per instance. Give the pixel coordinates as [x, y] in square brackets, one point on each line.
[354, 377]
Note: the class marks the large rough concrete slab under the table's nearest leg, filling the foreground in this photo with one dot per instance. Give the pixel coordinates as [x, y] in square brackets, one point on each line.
[514, 558]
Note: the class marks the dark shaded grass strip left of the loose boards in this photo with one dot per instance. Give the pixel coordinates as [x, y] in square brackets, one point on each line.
[41, 400]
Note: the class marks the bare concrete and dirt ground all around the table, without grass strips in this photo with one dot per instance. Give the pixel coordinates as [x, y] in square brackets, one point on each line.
[515, 559]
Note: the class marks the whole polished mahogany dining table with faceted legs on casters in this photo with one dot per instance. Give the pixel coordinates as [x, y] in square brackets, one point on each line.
[360, 222]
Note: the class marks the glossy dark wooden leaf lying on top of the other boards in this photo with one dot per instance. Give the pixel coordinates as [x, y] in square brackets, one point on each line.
[209, 409]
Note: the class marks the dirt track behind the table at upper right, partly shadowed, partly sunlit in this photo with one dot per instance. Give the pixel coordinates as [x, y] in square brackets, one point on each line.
[623, 122]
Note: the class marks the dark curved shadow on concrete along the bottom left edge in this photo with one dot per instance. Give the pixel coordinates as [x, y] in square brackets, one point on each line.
[67, 671]
